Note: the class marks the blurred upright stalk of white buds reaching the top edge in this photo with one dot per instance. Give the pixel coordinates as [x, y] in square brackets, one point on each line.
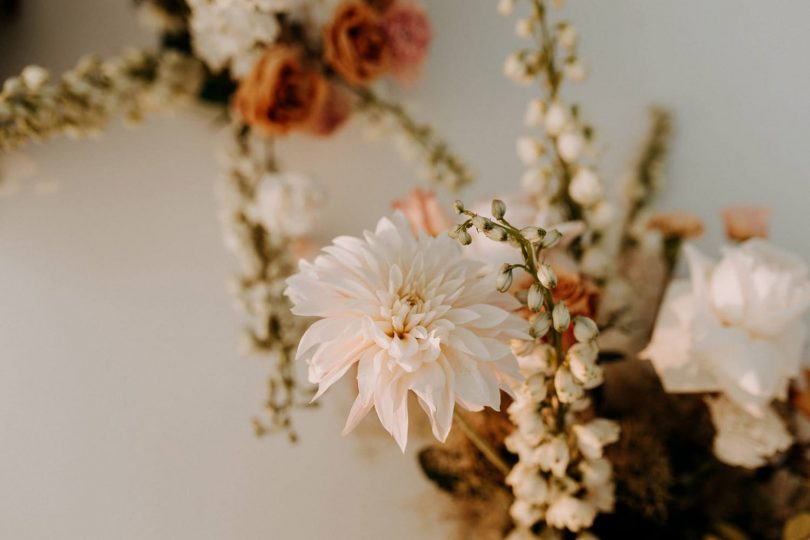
[558, 174]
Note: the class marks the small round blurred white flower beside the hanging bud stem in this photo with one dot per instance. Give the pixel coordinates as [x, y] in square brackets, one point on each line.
[287, 203]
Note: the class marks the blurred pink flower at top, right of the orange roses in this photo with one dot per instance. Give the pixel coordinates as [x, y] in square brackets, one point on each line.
[409, 33]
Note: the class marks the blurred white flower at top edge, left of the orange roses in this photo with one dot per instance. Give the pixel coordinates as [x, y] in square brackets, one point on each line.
[231, 33]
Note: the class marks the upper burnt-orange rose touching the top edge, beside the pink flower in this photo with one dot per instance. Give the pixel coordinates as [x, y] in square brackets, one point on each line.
[355, 43]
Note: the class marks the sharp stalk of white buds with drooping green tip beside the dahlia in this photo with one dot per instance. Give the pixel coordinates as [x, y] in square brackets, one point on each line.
[561, 480]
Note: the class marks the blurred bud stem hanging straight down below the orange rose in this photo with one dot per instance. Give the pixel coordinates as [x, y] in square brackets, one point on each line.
[265, 260]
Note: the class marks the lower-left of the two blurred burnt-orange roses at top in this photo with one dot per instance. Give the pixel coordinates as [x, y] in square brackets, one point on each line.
[282, 94]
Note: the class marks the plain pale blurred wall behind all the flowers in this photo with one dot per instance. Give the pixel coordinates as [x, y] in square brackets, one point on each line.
[124, 409]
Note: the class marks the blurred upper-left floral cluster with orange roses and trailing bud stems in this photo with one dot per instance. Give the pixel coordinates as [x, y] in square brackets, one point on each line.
[277, 67]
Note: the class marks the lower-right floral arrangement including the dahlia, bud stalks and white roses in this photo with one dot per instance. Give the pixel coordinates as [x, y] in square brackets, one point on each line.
[594, 394]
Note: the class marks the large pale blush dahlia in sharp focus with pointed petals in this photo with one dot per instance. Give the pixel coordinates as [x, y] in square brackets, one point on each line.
[412, 314]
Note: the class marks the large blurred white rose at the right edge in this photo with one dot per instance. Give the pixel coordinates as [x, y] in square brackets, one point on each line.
[736, 328]
